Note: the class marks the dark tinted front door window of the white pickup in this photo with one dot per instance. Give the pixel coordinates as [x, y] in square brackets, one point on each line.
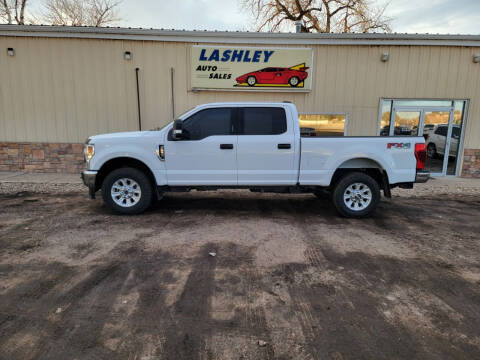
[208, 122]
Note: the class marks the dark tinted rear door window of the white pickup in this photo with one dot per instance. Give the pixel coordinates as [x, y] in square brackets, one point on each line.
[262, 121]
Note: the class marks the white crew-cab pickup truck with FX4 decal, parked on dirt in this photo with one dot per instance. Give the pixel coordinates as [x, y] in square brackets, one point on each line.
[256, 146]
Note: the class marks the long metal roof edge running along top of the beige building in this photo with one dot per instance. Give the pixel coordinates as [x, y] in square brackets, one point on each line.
[237, 37]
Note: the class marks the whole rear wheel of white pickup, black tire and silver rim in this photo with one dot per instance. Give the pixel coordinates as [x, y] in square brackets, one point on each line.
[356, 195]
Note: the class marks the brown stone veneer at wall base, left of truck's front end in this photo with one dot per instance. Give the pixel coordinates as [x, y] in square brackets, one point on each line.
[41, 157]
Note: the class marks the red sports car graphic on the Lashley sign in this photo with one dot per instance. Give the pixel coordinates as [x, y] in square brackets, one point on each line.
[275, 76]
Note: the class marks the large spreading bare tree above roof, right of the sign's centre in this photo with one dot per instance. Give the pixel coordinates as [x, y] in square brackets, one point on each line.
[319, 15]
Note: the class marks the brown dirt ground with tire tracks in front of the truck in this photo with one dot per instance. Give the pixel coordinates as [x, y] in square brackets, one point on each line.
[289, 279]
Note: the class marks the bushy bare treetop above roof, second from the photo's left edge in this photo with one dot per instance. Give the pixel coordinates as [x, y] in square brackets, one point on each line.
[81, 12]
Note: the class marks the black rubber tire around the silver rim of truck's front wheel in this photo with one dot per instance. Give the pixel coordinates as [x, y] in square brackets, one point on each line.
[146, 190]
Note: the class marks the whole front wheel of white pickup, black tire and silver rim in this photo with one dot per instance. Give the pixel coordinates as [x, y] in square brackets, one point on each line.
[127, 191]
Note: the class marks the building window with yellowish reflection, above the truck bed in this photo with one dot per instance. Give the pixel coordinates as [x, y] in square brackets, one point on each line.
[322, 125]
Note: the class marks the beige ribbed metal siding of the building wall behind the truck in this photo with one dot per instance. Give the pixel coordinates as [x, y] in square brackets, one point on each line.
[62, 90]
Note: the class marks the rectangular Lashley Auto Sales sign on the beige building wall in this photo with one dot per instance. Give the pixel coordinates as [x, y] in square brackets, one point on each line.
[251, 68]
